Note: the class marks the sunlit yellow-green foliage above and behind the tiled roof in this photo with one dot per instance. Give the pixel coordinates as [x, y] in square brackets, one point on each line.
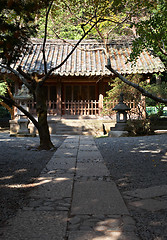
[69, 18]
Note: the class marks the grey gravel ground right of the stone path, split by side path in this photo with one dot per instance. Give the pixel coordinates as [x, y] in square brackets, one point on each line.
[139, 162]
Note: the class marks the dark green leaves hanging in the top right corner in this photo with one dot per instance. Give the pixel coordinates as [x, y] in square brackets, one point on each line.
[151, 31]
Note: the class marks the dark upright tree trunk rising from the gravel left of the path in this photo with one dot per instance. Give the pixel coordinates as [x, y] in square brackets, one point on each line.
[45, 140]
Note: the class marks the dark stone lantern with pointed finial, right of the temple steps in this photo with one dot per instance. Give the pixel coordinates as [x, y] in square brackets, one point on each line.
[121, 118]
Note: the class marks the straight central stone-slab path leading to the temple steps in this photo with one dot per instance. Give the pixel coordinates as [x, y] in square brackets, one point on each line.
[74, 198]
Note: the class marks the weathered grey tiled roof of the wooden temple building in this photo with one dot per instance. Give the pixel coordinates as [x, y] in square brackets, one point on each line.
[88, 59]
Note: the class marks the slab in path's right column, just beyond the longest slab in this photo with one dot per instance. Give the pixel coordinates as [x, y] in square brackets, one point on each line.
[92, 169]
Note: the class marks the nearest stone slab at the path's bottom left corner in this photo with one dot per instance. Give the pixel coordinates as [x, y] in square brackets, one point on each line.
[43, 225]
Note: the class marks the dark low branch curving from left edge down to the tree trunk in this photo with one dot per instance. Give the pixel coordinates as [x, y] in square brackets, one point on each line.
[9, 101]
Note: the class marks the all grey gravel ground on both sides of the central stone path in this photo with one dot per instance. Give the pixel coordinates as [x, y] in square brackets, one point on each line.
[134, 162]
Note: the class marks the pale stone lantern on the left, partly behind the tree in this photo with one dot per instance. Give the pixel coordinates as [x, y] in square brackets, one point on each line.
[22, 122]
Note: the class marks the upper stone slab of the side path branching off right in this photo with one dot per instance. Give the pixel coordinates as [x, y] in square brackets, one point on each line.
[150, 192]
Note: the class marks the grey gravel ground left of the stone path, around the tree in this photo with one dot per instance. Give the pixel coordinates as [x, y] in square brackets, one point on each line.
[20, 163]
